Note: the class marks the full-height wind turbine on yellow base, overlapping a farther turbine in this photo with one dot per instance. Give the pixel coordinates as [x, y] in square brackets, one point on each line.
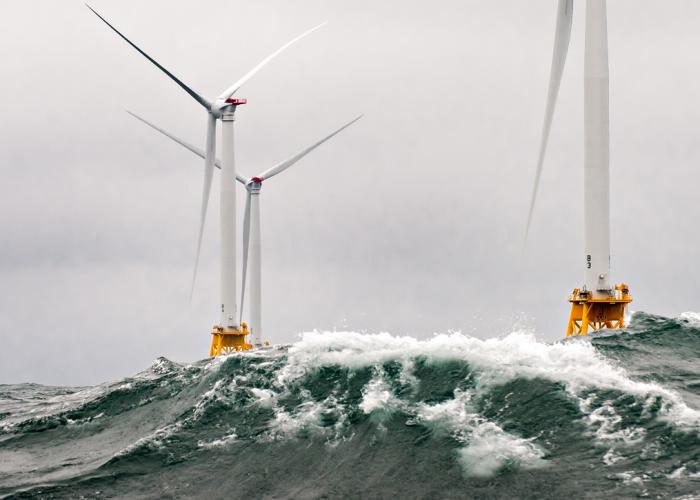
[229, 335]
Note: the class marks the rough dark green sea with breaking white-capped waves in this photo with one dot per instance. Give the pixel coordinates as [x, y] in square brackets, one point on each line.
[350, 415]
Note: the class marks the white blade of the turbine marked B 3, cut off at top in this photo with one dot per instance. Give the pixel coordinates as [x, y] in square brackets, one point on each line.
[561, 47]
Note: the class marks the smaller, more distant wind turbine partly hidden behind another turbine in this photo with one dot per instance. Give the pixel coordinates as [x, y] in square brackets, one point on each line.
[252, 243]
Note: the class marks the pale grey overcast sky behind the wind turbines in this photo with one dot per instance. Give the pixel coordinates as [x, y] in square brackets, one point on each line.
[411, 221]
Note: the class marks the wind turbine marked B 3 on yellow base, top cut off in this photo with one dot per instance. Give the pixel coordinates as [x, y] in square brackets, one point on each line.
[597, 304]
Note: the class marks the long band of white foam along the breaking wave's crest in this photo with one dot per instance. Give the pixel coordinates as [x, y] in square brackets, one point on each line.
[576, 365]
